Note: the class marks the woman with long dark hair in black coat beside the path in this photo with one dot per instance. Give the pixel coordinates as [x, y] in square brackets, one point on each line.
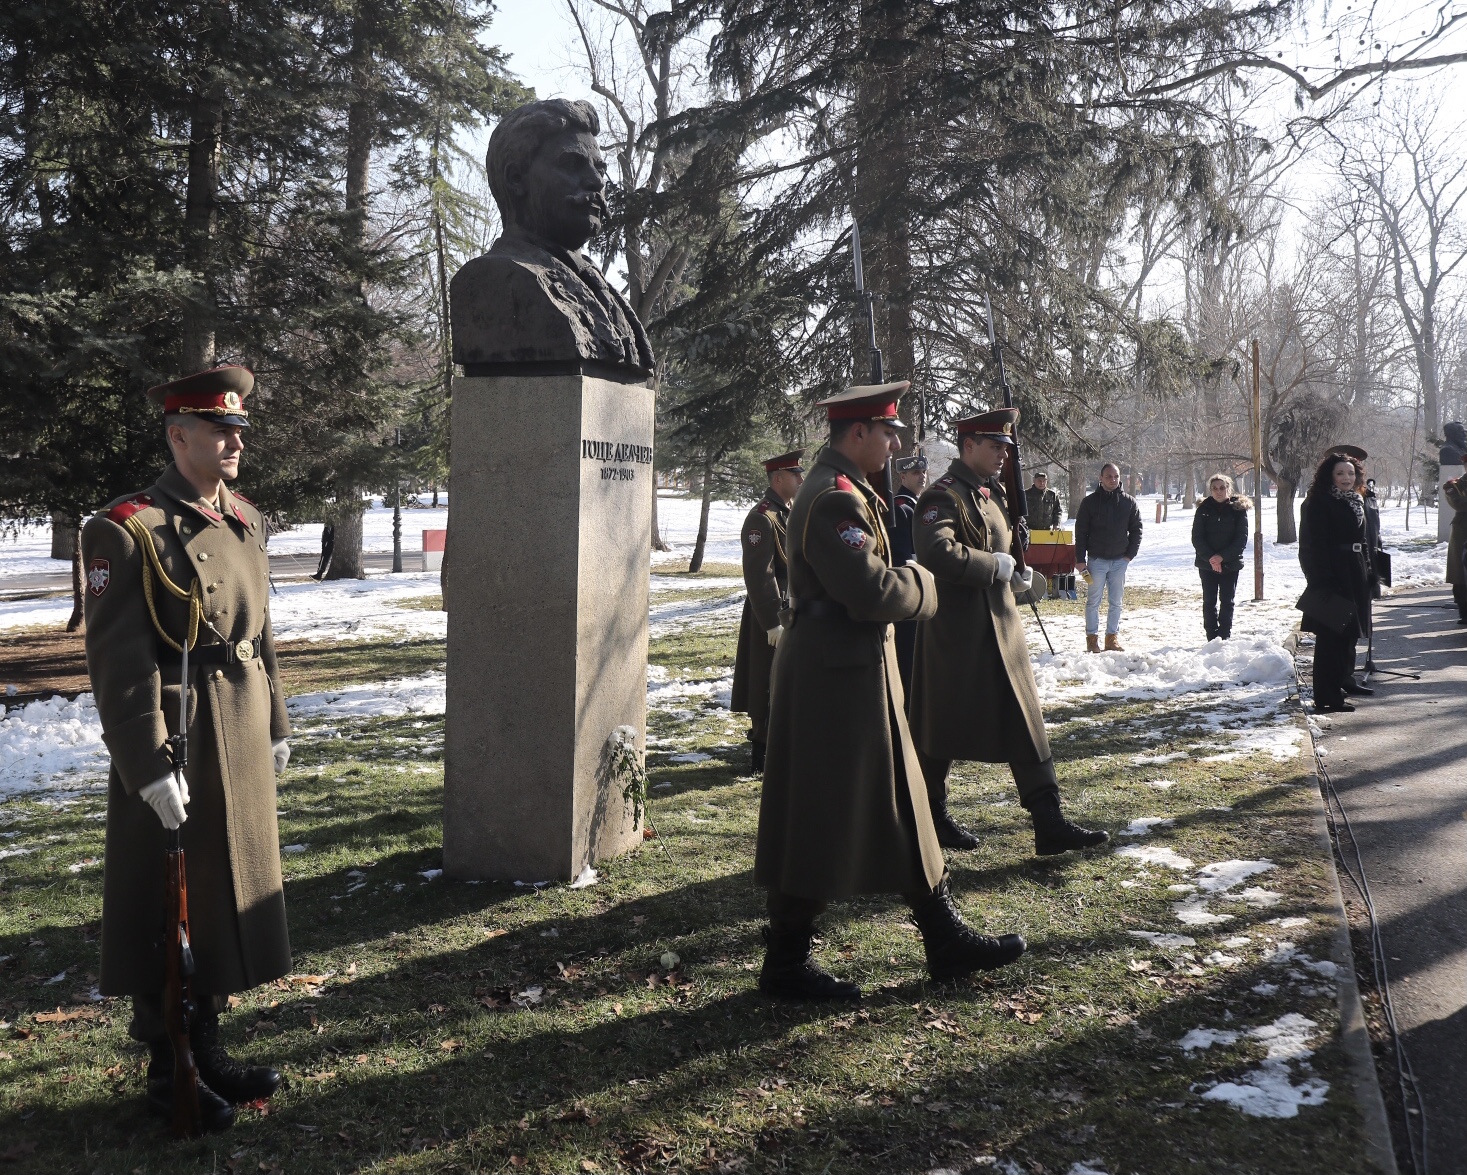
[1333, 554]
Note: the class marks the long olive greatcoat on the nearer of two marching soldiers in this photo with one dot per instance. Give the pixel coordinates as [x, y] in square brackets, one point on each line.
[844, 808]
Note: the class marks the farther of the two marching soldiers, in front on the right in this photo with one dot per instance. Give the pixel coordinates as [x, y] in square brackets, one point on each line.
[973, 687]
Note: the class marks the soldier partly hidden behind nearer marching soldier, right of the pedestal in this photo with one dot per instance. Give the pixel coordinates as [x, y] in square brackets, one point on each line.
[767, 580]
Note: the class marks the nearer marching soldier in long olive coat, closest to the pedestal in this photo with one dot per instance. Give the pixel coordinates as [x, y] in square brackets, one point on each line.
[843, 810]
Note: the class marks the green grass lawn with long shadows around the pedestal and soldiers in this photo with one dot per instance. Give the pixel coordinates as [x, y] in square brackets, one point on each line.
[411, 1045]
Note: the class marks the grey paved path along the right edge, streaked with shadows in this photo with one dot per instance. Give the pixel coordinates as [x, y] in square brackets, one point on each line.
[1400, 766]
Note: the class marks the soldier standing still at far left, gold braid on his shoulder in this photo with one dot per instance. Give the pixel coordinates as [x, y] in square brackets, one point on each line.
[186, 561]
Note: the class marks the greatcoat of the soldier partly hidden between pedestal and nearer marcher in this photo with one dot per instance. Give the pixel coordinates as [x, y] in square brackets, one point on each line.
[767, 576]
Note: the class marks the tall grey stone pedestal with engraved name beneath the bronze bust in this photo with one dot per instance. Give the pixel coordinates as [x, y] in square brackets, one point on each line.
[548, 621]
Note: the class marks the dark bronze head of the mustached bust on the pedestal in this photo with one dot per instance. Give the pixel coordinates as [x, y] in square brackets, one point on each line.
[548, 174]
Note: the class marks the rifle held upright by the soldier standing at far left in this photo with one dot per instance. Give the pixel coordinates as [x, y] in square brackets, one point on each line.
[178, 995]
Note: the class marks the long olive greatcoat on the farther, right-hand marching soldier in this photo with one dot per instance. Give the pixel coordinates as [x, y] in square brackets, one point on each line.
[973, 687]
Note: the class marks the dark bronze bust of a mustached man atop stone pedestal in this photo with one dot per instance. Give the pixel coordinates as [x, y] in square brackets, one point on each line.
[535, 299]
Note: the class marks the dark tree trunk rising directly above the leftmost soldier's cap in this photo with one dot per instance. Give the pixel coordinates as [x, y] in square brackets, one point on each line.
[200, 225]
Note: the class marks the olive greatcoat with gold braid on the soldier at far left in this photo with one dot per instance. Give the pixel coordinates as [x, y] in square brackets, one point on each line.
[139, 551]
